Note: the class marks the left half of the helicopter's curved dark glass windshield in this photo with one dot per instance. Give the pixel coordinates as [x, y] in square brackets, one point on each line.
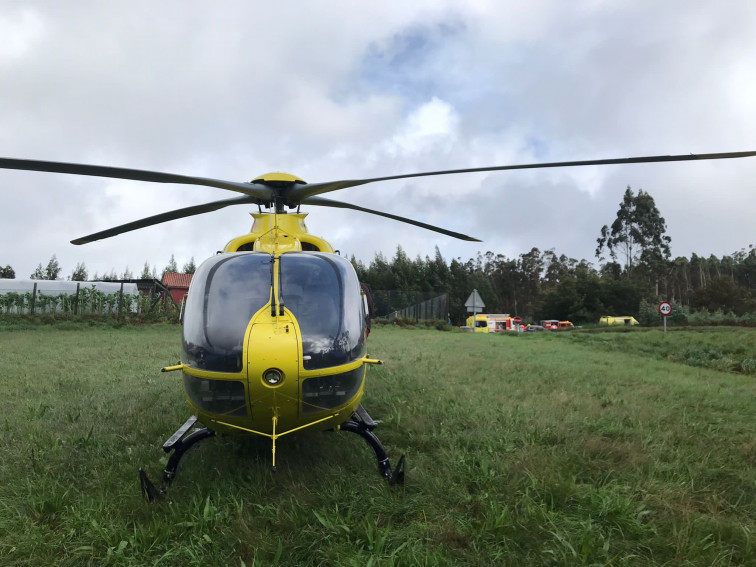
[226, 291]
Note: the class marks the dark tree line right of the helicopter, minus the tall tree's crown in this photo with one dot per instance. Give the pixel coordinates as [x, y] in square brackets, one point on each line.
[545, 285]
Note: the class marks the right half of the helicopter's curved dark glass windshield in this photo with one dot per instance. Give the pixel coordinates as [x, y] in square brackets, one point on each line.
[323, 293]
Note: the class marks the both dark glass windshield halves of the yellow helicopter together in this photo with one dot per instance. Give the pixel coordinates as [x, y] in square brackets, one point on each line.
[320, 290]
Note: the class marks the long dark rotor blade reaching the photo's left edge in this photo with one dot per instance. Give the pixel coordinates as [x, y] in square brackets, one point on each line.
[261, 192]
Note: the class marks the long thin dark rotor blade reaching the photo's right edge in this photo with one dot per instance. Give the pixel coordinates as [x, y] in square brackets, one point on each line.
[301, 192]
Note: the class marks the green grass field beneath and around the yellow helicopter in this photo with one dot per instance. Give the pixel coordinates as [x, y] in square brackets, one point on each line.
[534, 449]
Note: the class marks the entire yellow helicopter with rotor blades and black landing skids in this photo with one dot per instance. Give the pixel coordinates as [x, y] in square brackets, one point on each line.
[275, 328]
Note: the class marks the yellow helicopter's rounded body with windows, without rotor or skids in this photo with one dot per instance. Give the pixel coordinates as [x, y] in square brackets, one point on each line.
[274, 333]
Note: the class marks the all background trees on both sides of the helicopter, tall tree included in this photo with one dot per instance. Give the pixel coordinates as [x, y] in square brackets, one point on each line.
[634, 271]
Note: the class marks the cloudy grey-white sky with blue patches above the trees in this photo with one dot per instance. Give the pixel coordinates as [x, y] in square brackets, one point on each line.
[332, 90]
